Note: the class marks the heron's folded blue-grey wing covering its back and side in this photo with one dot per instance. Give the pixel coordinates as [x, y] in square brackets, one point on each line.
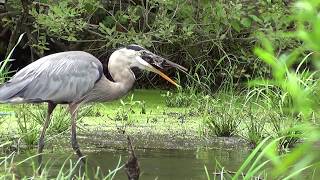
[62, 78]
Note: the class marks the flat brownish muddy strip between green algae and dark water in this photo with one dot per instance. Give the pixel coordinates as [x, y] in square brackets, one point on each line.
[148, 140]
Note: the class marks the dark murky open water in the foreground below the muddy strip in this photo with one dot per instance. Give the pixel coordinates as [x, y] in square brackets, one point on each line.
[154, 164]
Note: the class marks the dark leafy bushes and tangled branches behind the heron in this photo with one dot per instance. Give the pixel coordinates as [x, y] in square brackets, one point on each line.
[213, 38]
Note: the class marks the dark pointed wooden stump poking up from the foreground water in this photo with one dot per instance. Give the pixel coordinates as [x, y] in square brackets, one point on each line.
[132, 165]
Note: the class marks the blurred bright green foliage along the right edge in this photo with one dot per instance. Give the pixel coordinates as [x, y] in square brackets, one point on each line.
[300, 86]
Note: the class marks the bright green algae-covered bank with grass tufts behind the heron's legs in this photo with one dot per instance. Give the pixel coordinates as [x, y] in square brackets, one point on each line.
[146, 112]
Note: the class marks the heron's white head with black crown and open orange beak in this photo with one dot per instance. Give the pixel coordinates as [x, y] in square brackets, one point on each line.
[137, 56]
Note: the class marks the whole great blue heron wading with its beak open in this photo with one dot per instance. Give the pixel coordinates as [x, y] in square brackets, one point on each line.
[76, 77]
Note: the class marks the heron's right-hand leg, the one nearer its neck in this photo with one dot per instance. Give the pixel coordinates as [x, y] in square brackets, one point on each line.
[74, 142]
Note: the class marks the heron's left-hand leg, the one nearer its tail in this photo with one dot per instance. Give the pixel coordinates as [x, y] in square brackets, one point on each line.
[51, 107]
